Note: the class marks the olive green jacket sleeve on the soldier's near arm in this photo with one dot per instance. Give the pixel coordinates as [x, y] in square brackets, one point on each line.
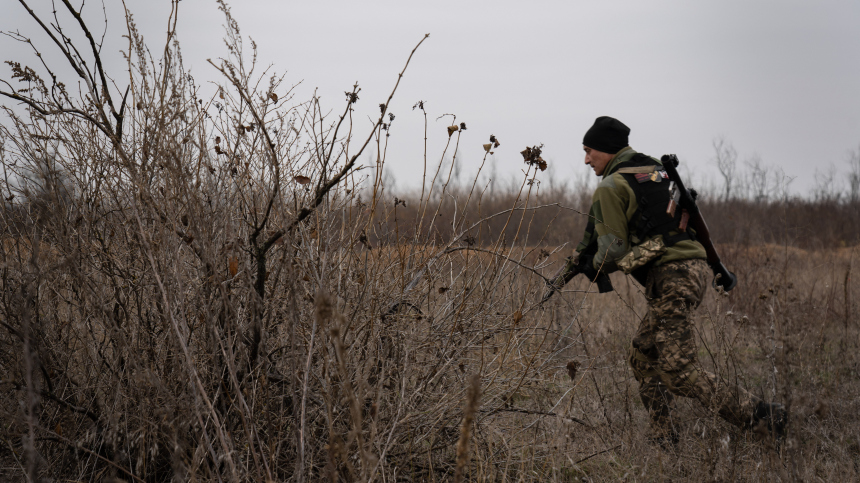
[611, 207]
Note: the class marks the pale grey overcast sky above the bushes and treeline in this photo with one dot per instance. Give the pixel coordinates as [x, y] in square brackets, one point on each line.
[778, 79]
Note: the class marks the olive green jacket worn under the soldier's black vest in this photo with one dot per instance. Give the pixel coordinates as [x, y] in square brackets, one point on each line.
[612, 208]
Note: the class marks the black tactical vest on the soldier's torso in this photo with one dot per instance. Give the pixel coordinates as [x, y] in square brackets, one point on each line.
[651, 186]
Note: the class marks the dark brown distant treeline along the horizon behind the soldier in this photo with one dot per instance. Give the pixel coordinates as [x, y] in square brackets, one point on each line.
[556, 217]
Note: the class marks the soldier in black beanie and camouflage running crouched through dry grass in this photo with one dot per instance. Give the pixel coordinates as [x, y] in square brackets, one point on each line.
[629, 224]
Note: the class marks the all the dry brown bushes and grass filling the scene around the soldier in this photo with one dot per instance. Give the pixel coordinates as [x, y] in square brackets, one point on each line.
[207, 289]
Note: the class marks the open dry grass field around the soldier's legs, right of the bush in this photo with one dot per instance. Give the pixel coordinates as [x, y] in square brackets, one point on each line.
[787, 333]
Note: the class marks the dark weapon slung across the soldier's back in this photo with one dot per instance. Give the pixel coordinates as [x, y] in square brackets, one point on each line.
[686, 200]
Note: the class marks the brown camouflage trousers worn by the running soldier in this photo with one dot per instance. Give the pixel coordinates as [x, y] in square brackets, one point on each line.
[663, 355]
